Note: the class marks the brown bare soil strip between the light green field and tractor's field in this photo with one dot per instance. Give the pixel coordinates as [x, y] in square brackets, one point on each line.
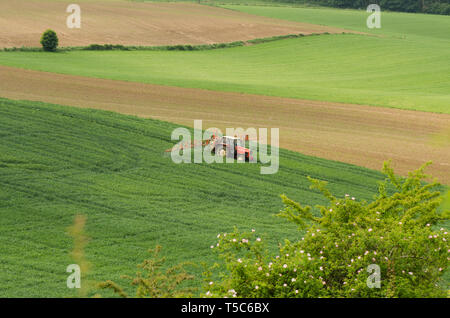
[361, 135]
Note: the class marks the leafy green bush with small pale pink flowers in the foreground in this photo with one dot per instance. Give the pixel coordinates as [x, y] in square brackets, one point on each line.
[386, 248]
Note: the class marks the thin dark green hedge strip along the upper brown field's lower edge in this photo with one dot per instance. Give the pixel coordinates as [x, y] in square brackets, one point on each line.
[178, 47]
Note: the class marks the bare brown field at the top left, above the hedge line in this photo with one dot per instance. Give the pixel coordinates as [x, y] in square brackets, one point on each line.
[132, 23]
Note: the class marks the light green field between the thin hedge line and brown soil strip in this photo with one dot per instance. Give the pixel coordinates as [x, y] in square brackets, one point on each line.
[343, 68]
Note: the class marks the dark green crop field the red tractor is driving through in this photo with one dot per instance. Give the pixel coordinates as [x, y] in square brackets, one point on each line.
[56, 162]
